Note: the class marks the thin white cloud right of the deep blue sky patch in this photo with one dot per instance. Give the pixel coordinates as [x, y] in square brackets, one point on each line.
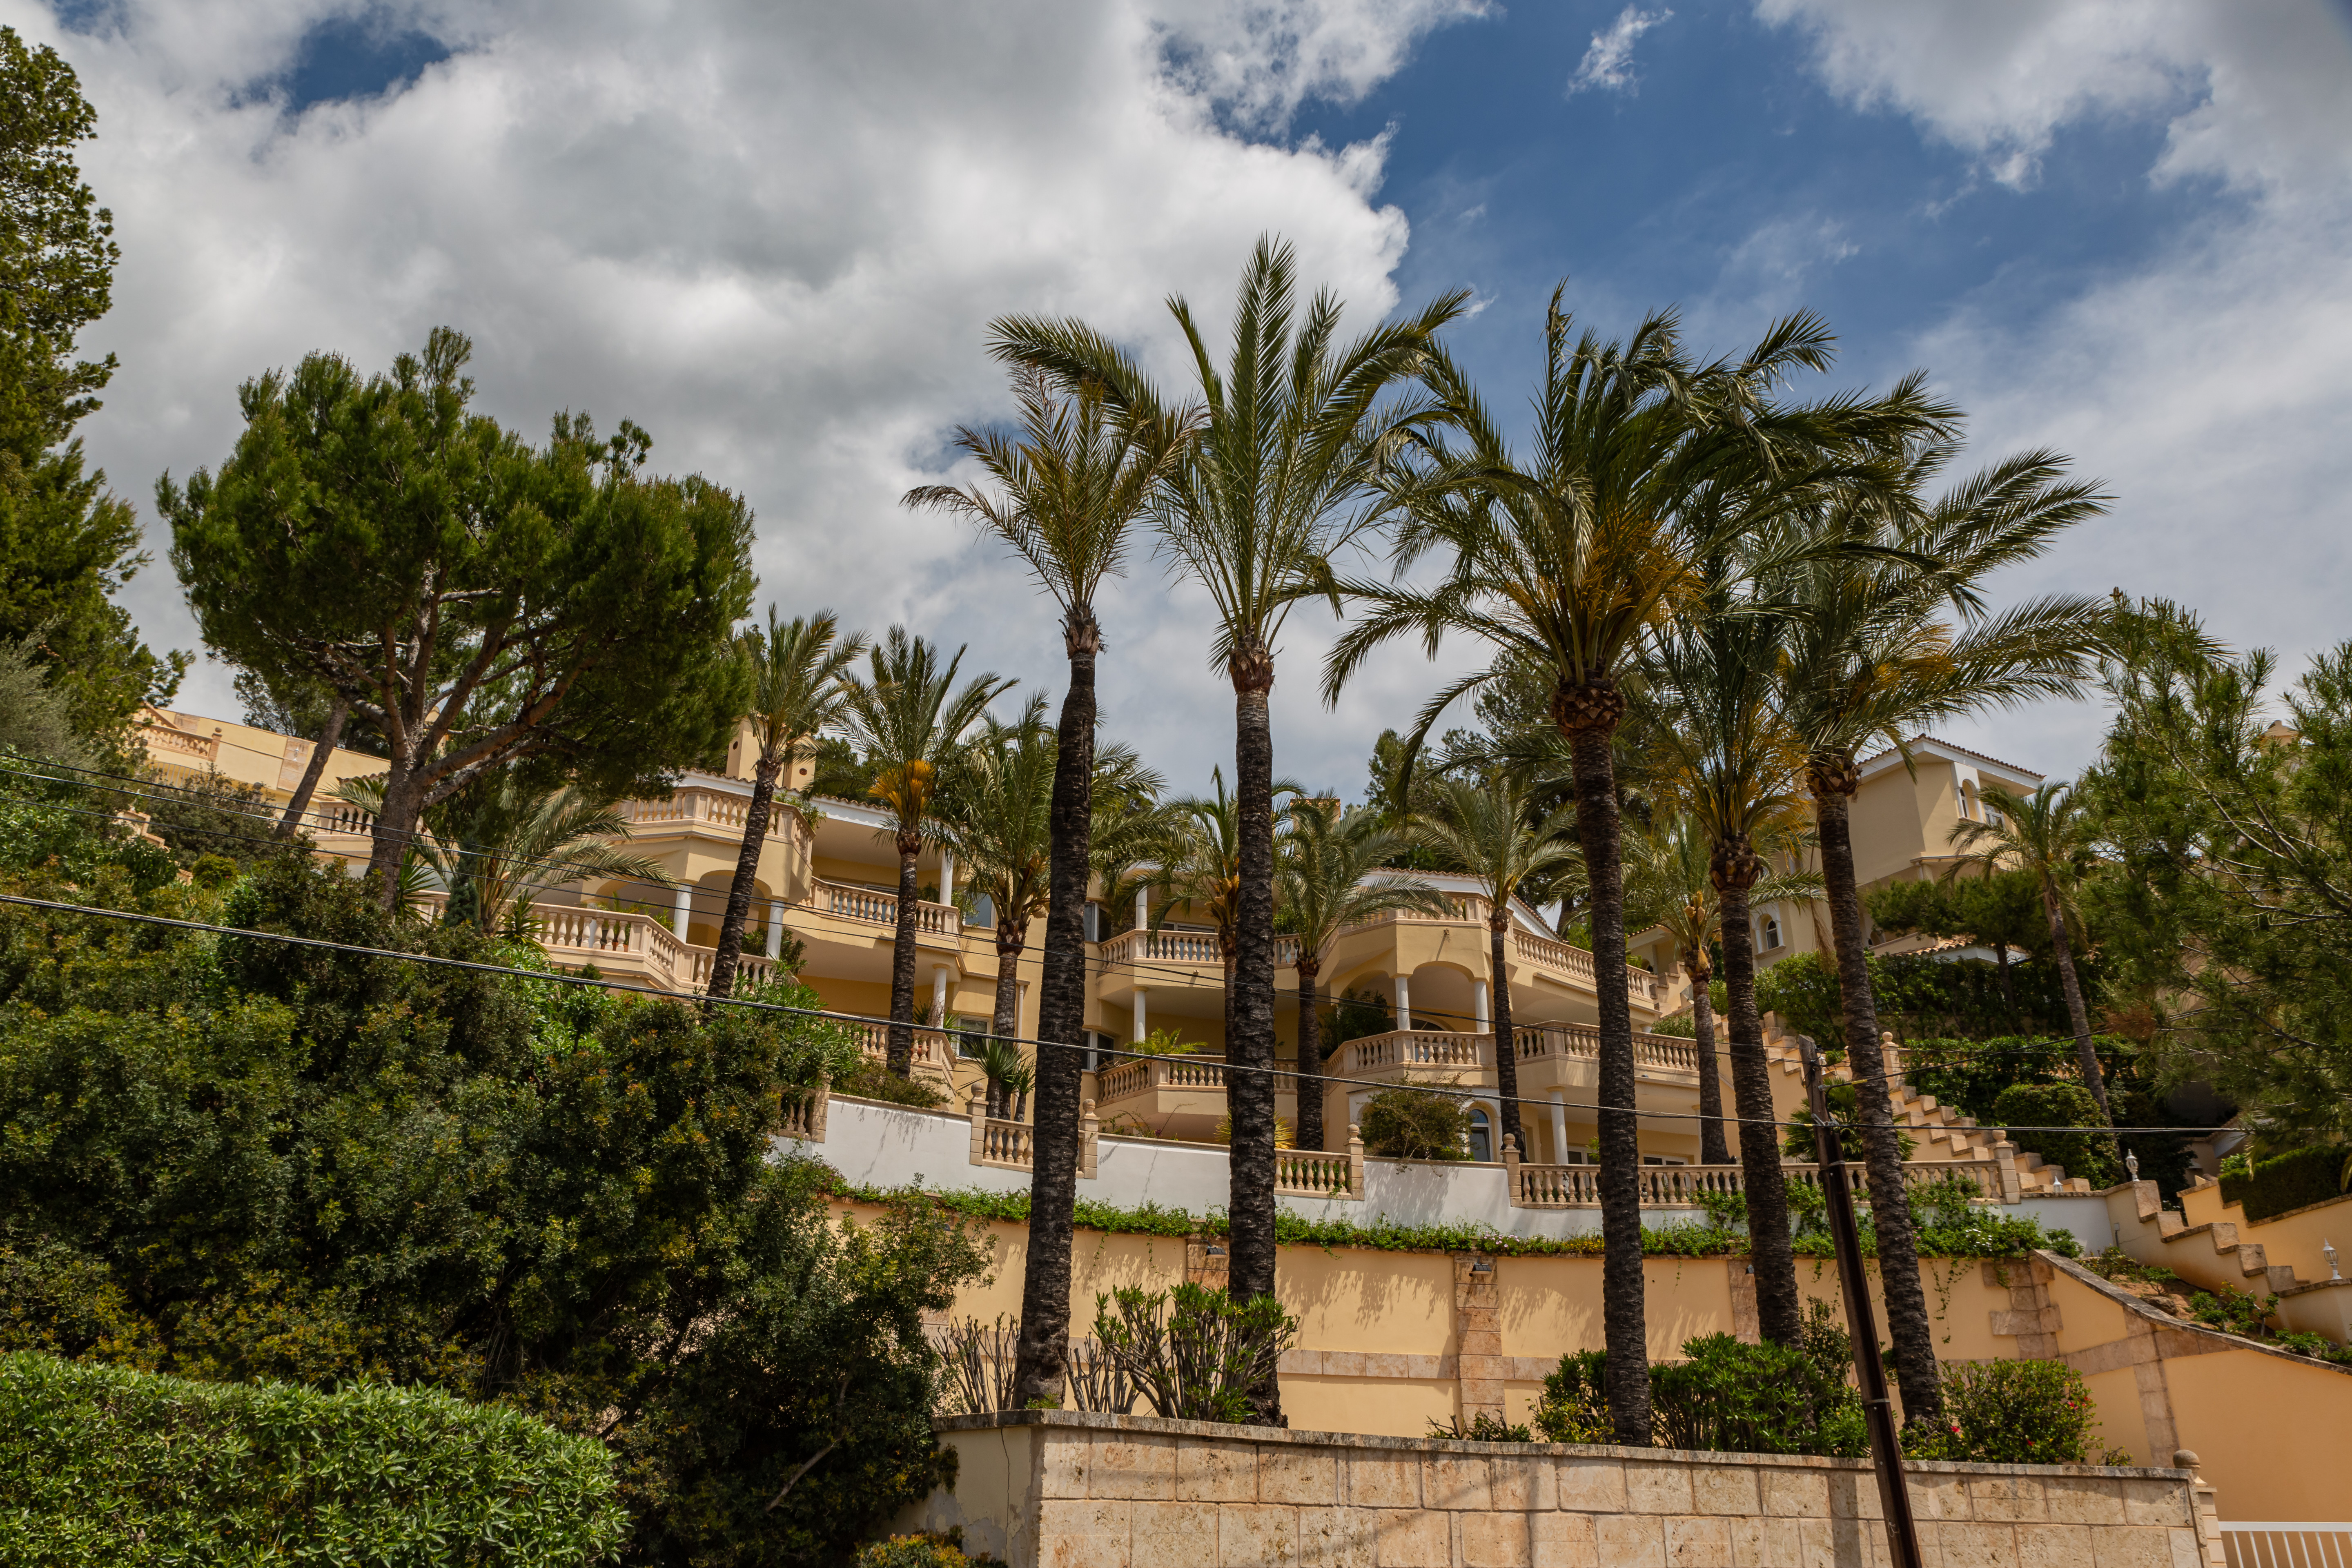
[2205, 382]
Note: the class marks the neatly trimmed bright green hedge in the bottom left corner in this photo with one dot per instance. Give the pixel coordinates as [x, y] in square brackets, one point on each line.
[112, 1466]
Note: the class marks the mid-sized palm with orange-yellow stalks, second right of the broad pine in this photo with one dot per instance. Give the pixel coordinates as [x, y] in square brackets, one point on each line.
[911, 718]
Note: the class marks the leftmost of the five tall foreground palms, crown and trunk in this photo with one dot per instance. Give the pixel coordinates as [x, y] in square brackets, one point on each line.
[1071, 495]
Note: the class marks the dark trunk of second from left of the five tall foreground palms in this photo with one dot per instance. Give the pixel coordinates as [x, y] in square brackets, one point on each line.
[1250, 1052]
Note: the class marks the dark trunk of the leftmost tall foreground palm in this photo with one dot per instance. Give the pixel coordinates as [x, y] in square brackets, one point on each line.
[1062, 1019]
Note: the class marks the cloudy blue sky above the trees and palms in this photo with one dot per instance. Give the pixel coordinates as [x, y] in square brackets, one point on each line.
[775, 234]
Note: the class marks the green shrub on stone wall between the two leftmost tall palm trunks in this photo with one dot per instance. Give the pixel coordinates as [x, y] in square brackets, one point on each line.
[1194, 1353]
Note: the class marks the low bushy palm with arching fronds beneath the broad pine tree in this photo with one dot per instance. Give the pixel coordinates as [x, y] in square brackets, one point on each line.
[497, 845]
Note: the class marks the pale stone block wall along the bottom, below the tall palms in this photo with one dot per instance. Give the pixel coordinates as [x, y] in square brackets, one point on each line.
[1050, 1489]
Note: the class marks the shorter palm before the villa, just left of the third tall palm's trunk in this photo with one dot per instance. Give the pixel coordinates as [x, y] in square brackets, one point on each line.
[1490, 831]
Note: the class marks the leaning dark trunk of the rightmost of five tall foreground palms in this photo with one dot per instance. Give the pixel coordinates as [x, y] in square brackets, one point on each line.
[1833, 784]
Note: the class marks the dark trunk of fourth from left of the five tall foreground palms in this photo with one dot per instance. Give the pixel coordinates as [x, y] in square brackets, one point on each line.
[1779, 1306]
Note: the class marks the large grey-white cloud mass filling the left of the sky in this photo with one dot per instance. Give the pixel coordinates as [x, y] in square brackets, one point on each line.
[773, 234]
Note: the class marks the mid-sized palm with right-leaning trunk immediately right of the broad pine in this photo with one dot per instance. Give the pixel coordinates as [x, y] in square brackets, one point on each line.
[796, 676]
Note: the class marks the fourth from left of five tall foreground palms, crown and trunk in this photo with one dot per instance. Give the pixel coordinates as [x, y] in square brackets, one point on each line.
[1728, 758]
